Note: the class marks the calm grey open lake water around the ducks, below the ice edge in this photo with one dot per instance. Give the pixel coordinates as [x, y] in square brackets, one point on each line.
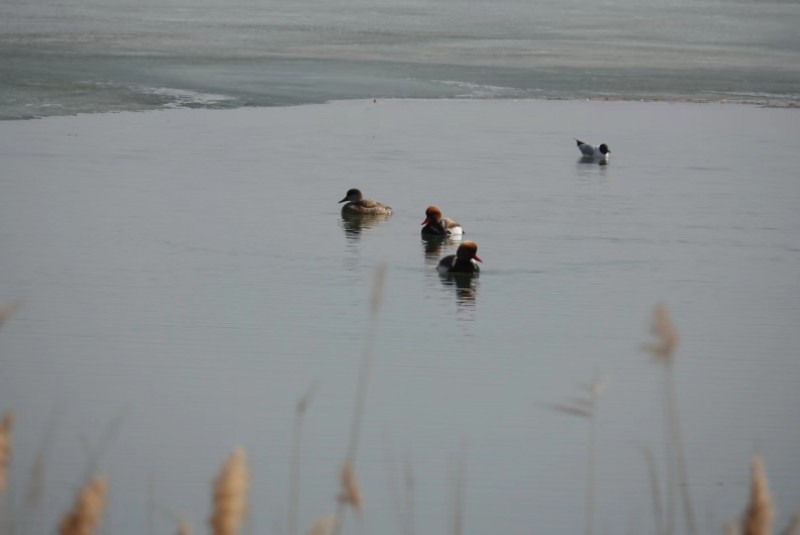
[187, 278]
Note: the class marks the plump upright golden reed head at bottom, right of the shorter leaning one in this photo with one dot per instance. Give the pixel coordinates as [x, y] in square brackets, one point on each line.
[230, 495]
